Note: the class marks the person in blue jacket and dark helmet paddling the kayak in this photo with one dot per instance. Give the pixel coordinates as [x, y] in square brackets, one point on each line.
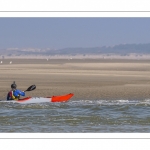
[15, 94]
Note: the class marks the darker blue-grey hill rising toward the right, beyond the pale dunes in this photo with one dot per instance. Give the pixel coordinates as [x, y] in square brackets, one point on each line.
[121, 49]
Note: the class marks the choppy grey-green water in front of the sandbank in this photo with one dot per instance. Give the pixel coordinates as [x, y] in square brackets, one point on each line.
[79, 116]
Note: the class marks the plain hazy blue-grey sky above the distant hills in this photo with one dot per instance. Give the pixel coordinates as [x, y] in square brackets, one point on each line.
[72, 32]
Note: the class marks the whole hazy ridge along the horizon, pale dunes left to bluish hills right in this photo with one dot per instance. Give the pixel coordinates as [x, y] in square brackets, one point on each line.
[121, 49]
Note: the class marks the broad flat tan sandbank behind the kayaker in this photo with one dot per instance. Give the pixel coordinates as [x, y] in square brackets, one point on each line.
[89, 79]
